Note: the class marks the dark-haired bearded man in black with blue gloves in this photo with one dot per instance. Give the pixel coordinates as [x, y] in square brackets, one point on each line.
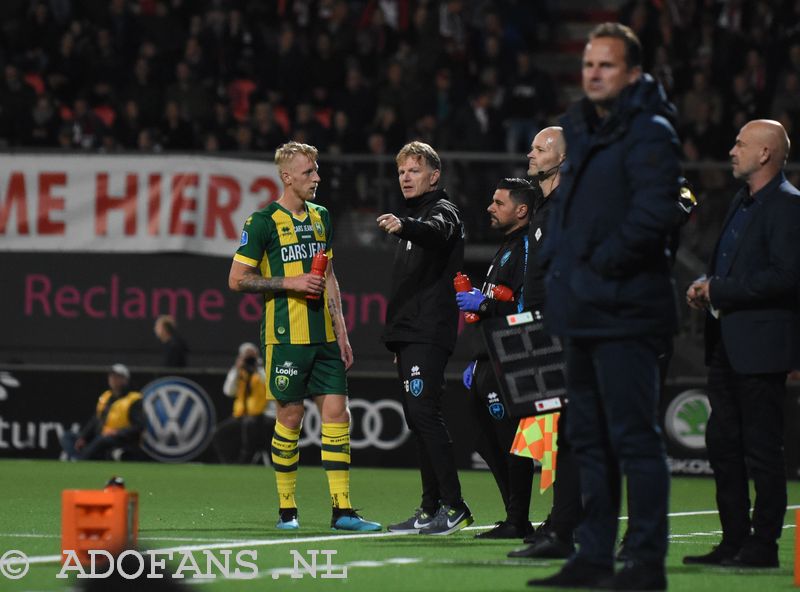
[509, 213]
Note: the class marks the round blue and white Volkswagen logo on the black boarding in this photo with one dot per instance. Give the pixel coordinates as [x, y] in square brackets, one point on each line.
[180, 419]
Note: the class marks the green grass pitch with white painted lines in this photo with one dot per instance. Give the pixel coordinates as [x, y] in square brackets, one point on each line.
[216, 507]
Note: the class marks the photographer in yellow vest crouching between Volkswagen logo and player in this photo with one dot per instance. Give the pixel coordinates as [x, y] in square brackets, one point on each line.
[248, 430]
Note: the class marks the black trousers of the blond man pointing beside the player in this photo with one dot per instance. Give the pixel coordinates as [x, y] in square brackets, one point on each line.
[420, 367]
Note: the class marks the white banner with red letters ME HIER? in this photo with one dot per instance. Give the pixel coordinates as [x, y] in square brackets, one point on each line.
[129, 203]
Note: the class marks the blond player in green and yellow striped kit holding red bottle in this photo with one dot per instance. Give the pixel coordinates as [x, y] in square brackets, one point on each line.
[307, 350]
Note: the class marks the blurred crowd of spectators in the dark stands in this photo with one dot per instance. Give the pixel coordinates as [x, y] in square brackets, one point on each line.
[364, 76]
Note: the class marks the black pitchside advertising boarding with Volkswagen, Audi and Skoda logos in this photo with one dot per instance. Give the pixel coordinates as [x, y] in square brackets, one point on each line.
[37, 406]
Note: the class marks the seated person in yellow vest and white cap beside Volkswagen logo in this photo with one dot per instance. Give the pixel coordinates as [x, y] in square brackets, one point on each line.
[118, 421]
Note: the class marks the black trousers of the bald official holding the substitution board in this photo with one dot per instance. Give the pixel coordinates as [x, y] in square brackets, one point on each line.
[567, 509]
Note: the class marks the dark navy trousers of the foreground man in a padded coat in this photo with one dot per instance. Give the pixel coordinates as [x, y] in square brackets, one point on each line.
[613, 389]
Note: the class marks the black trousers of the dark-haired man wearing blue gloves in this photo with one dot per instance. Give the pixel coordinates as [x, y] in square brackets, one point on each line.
[495, 435]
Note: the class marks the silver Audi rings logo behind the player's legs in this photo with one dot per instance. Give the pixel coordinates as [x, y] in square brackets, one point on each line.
[379, 424]
